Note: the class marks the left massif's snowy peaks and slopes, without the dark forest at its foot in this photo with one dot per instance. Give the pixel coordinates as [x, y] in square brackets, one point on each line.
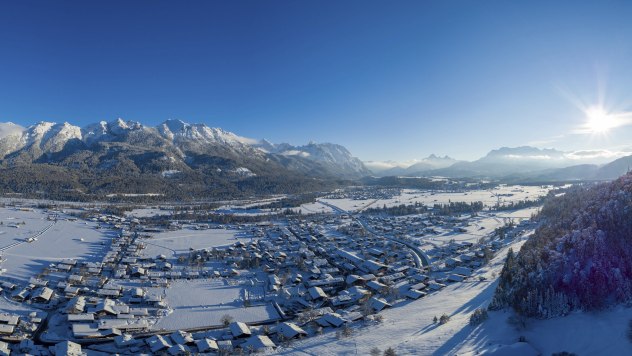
[170, 146]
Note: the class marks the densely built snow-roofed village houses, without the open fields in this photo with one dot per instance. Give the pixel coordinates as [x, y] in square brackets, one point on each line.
[320, 271]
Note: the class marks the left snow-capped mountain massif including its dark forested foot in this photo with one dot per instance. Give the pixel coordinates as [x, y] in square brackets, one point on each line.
[127, 157]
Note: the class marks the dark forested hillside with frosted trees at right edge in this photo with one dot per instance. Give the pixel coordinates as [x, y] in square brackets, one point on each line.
[580, 258]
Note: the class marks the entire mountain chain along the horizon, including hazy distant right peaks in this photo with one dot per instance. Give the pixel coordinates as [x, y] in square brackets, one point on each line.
[193, 161]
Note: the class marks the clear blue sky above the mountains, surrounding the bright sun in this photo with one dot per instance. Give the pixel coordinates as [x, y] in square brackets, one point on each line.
[388, 79]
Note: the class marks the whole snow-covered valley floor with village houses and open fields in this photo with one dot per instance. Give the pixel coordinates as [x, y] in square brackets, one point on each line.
[79, 278]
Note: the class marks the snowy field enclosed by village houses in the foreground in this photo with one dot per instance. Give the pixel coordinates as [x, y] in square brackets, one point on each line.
[200, 303]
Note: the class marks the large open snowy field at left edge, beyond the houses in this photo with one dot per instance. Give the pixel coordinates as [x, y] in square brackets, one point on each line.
[54, 242]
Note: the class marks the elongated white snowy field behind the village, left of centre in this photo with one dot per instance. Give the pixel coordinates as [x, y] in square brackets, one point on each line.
[179, 241]
